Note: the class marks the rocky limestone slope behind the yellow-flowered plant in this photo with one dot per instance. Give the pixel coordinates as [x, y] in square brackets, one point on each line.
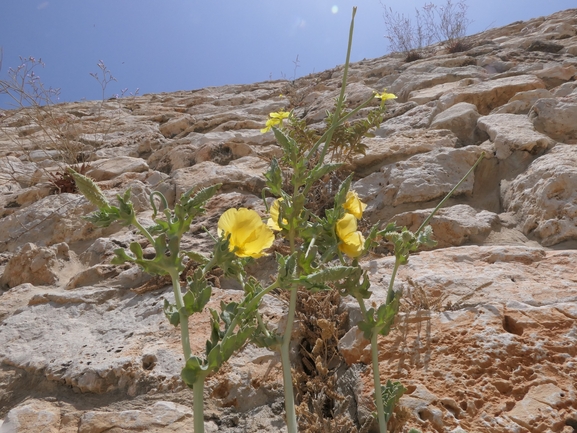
[487, 341]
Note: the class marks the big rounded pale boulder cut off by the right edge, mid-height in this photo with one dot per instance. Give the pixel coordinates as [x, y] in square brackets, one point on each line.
[545, 197]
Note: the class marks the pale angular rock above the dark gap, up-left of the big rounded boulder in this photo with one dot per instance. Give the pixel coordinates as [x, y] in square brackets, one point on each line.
[511, 132]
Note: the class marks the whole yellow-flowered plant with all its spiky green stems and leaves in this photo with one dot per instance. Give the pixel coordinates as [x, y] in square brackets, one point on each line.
[323, 253]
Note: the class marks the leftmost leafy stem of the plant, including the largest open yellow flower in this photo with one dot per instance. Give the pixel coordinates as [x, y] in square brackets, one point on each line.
[243, 236]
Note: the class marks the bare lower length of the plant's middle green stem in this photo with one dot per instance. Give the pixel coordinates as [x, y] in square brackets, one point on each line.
[286, 365]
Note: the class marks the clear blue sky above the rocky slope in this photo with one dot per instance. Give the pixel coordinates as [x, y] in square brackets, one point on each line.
[169, 45]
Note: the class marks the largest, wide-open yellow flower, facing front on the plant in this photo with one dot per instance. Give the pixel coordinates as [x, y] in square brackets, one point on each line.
[248, 234]
